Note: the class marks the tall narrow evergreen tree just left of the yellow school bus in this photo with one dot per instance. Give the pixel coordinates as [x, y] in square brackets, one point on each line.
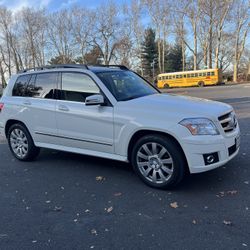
[149, 54]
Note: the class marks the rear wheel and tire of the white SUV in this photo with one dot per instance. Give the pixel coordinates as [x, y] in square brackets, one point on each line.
[21, 143]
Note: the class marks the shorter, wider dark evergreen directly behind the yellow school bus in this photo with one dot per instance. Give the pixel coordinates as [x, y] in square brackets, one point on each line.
[174, 59]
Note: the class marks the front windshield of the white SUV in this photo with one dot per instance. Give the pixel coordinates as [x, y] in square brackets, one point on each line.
[126, 85]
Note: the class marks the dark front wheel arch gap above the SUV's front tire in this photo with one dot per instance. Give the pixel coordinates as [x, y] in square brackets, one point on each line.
[140, 133]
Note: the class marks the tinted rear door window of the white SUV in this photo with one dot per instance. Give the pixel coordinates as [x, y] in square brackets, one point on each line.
[42, 85]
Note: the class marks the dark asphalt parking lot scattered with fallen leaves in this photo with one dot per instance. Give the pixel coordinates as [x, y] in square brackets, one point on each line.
[69, 201]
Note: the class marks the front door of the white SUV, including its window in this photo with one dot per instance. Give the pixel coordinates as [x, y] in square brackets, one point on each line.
[80, 126]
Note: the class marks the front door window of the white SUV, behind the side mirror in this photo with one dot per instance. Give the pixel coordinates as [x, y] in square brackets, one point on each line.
[76, 87]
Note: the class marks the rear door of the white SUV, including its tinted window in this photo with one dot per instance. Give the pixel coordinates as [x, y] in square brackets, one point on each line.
[34, 95]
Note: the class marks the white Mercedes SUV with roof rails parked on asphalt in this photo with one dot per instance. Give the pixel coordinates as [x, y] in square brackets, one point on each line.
[114, 113]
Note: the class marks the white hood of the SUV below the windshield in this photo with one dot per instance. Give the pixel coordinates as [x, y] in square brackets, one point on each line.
[182, 105]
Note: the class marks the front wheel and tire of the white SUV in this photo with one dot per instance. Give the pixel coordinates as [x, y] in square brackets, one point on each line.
[157, 168]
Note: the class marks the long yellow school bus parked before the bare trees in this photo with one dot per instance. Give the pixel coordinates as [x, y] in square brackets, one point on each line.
[190, 78]
